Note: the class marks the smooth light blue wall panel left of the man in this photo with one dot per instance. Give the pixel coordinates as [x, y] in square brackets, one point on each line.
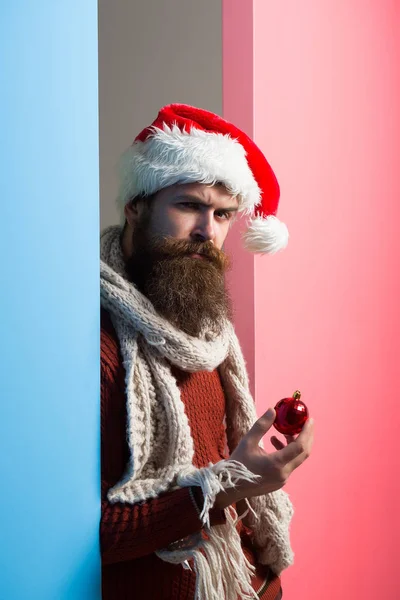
[49, 301]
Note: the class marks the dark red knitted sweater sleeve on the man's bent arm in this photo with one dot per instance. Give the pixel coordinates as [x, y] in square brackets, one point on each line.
[130, 531]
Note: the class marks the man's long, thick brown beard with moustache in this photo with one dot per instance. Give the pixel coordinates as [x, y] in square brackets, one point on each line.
[189, 292]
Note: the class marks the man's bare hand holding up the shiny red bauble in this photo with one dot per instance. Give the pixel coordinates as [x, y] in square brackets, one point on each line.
[275, 468]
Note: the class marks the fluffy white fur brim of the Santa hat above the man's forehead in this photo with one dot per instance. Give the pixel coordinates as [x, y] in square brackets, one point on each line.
[170, 156]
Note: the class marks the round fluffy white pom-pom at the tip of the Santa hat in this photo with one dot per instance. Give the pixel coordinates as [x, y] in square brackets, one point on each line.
[266, 235]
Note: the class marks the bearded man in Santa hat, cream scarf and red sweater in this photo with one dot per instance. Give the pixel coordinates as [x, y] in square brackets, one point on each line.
[192, 506]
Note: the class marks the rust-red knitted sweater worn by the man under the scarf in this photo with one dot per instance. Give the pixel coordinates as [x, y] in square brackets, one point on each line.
[129, 535]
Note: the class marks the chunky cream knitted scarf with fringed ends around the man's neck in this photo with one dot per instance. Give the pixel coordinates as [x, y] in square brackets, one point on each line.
[160, 441]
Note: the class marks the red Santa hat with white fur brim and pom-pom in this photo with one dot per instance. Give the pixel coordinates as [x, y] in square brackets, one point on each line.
[187, 145]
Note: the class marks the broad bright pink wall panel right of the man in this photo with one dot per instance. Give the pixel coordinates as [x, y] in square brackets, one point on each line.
[326, 311]
